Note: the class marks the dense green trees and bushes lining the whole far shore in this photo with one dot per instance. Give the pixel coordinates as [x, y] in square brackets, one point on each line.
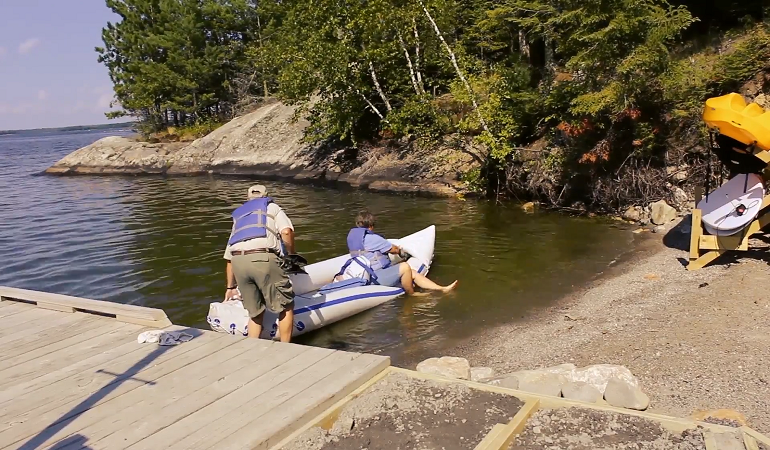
[602, 82]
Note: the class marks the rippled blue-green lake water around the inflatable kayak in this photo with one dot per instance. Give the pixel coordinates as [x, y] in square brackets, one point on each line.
[158, 242]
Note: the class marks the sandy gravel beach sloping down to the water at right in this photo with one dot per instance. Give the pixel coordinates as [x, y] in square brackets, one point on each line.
[696, 340]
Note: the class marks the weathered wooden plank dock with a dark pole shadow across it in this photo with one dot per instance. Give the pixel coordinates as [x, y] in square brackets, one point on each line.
[73, 376]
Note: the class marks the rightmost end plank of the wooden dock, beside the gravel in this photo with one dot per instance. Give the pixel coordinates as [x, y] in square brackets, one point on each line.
[264, 432]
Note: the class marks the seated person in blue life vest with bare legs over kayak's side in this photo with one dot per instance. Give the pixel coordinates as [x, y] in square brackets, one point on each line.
[364, 242]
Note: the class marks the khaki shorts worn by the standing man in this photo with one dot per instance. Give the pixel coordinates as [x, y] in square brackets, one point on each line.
[262, 283]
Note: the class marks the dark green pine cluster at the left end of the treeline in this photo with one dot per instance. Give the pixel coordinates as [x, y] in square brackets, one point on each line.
[171, 61]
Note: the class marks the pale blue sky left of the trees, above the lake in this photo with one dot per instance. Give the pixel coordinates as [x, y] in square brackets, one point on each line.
[49, 73]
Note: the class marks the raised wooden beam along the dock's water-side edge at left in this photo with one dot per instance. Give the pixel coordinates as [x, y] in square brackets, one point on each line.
[138, 312]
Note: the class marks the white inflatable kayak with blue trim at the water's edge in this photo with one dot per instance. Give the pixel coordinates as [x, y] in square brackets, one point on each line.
[317, 303]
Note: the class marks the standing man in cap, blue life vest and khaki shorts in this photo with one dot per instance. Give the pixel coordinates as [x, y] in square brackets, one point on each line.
[253, 261]
